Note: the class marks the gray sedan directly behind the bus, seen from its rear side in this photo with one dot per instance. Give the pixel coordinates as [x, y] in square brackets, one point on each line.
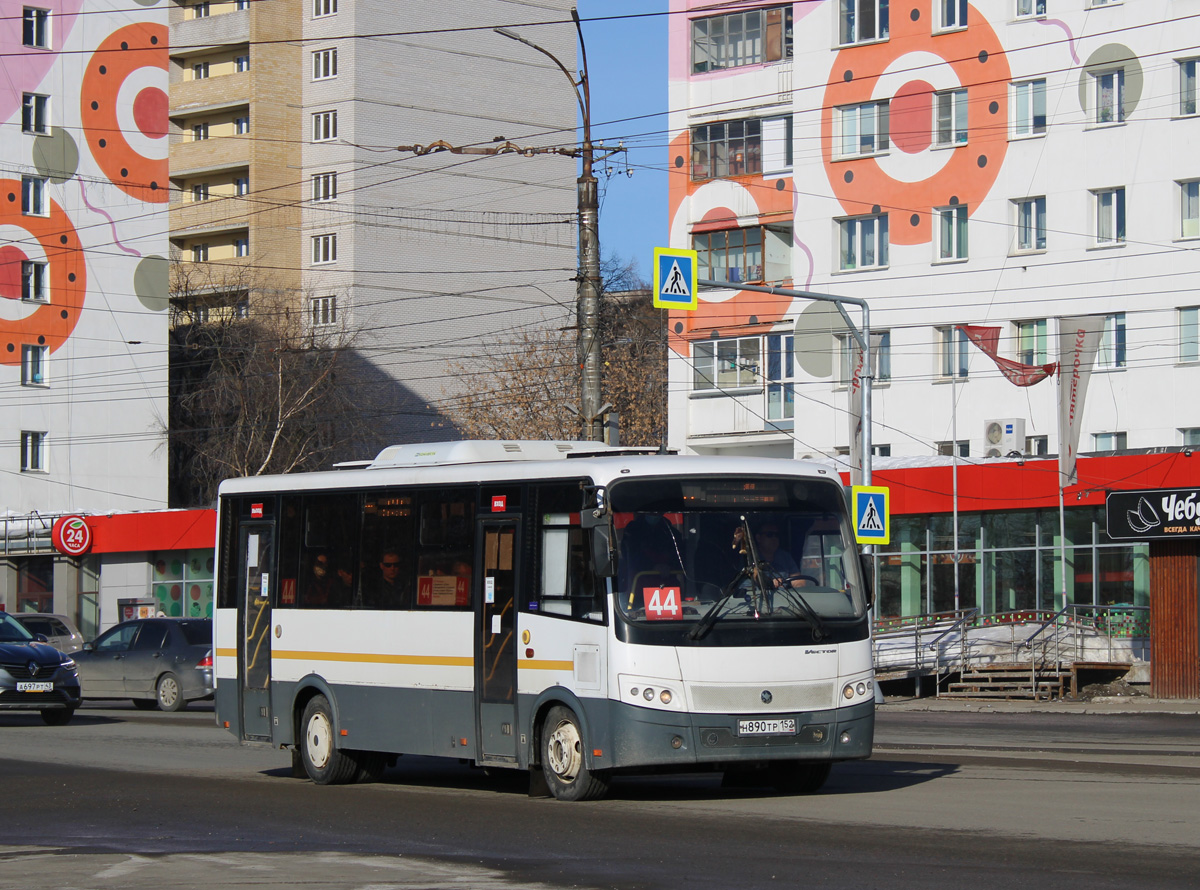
[159, 663]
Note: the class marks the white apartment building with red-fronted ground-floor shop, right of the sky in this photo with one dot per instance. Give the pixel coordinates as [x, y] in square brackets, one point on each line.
[1003, 166]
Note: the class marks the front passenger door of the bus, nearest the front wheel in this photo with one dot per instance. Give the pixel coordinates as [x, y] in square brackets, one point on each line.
[496, 646]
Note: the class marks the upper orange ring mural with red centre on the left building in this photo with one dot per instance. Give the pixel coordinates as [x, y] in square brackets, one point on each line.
[122, 55]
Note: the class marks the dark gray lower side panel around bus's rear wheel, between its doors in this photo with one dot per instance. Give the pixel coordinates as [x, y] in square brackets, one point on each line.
[392, 720]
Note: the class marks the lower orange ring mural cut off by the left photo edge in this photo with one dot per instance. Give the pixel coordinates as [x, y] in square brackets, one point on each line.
[53, 322]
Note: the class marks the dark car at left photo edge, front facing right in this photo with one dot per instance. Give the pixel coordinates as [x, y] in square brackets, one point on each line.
[35, 676]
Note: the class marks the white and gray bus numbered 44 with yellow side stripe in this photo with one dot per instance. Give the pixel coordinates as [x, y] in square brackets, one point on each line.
[559, 608]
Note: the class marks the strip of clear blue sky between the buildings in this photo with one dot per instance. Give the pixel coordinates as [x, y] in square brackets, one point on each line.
[628, 74]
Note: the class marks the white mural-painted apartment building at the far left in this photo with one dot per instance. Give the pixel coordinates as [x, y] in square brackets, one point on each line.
[83, 280]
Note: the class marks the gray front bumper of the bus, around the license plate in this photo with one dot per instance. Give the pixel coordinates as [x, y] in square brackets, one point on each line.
[646, 737]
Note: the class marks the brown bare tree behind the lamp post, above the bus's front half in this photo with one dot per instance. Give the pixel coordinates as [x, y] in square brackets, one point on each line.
[533, 378]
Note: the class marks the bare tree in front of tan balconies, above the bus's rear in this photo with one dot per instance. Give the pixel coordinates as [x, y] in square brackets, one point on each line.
[254, 384]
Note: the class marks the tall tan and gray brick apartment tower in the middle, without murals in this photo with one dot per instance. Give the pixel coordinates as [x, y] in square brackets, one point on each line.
[286, 121]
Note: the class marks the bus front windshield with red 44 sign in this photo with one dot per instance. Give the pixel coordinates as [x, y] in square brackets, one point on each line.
[735, 551]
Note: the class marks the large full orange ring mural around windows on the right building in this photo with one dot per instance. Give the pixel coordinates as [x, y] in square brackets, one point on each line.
[977, 61]
